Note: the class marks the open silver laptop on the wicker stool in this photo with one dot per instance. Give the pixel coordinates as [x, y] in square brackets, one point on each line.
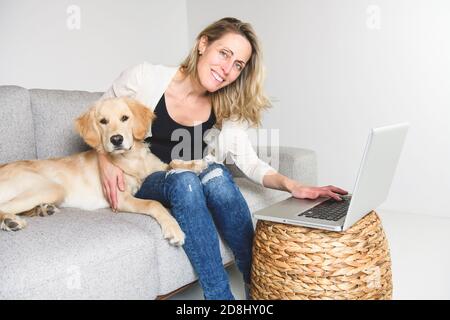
[371, 188]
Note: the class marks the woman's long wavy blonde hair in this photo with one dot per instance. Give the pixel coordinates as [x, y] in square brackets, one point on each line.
[244, 99]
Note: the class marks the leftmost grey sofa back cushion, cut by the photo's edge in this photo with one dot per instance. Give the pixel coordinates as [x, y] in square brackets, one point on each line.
[16, 125]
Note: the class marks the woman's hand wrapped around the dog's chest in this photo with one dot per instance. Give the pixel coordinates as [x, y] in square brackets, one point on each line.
[112, 179]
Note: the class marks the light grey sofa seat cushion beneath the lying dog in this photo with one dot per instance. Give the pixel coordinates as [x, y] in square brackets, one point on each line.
[81, 255]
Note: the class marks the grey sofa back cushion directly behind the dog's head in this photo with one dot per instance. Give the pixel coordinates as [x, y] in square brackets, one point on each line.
[54, 112]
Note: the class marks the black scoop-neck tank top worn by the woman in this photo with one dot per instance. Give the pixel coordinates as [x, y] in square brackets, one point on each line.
[171, 140]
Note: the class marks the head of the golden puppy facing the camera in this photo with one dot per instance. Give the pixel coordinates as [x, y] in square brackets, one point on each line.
[112, 125]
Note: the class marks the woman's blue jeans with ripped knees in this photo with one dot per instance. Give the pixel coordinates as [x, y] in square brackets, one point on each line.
[201, 204]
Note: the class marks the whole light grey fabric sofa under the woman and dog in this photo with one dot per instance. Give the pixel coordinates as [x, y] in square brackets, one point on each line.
[79, 254]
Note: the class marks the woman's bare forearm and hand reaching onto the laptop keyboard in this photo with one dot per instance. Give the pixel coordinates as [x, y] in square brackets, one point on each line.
[275, 180]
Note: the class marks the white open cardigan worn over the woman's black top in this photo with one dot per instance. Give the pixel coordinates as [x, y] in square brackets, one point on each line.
[147, 83]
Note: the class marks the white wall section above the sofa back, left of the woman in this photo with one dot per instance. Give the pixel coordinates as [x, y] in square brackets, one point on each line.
[39, 50]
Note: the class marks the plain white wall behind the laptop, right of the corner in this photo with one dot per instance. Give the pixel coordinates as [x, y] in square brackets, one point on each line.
[334, 76]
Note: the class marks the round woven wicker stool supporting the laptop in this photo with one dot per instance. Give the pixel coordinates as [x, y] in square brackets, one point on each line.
[291, 262]
